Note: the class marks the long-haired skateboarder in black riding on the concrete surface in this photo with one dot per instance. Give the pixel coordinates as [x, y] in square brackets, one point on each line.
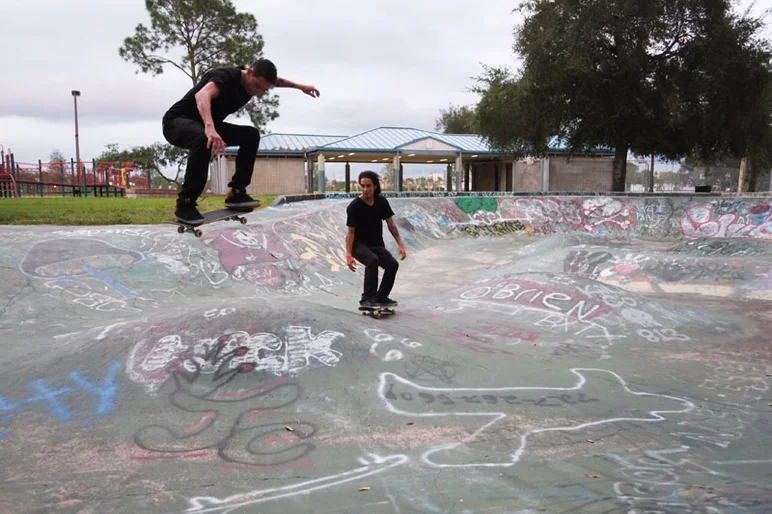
[364, 241]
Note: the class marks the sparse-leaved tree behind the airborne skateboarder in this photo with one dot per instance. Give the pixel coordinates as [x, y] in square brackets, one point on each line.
[203, 34]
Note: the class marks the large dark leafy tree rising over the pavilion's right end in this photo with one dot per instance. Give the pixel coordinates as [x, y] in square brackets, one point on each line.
[604, 74]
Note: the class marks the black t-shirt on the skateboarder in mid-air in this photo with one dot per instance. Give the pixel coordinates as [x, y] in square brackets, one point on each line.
[231, 98]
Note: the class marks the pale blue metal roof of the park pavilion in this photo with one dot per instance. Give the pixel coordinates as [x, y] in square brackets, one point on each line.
[381, 139]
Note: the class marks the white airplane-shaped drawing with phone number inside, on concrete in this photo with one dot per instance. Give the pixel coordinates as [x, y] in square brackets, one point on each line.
[390, 379]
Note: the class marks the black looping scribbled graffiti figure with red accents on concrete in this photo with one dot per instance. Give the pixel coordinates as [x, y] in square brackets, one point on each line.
[242, 426]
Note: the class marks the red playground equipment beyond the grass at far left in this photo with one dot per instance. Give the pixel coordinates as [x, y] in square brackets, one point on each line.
[73, 178]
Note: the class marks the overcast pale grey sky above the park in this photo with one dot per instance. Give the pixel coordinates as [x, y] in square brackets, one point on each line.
[376, 63]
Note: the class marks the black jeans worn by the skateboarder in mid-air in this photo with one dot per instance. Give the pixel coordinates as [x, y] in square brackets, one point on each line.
[189, 134]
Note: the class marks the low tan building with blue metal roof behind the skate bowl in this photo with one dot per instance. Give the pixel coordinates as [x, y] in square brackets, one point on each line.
[296, 163]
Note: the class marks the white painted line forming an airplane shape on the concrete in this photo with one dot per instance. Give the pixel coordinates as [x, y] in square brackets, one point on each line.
[497, 416]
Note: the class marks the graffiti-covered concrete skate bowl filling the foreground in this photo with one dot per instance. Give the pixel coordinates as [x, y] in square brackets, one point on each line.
[549, 354]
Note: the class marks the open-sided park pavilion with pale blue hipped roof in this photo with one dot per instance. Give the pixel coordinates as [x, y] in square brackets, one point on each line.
[470, 163]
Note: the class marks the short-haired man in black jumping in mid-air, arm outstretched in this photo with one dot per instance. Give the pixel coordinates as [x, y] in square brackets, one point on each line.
[195, 123]
